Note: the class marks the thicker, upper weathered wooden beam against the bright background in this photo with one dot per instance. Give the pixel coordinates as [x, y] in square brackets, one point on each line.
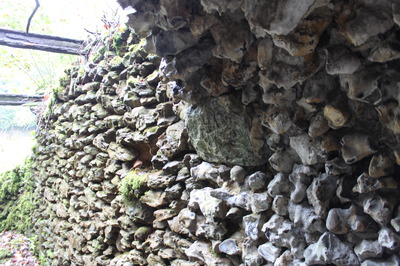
[47, 43]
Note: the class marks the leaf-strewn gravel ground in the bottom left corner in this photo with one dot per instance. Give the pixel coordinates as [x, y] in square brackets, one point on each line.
[15, 250]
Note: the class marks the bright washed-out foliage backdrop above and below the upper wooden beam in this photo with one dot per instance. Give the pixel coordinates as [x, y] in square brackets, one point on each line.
[28, 71]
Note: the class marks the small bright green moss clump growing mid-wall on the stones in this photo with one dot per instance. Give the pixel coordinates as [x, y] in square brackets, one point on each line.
[132, 185]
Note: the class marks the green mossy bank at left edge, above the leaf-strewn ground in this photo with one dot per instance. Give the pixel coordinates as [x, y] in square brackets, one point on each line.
[17, 199]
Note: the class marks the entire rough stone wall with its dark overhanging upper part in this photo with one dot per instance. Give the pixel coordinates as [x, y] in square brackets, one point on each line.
[274, 126]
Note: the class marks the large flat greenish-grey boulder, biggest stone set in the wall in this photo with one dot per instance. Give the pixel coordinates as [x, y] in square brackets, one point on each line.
[237, 142]
